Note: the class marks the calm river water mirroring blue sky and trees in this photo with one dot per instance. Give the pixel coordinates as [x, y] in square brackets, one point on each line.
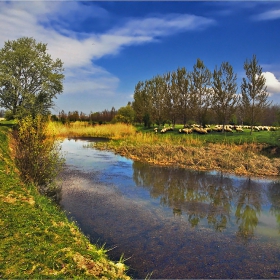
[171, 222]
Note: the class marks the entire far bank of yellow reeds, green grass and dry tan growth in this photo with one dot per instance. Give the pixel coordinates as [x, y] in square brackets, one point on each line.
[237, 153]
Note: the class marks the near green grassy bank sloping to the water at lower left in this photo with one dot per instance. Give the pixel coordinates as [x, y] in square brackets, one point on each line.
[37, 239]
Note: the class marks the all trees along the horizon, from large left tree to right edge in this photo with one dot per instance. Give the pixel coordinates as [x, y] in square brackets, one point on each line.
[30, 80]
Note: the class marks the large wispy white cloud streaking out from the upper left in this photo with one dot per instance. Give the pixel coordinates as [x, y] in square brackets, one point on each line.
[52, 22]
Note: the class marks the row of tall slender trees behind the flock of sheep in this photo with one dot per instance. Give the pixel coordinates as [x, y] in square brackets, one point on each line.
[202, 95]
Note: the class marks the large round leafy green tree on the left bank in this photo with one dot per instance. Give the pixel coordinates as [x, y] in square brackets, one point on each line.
[29, 78]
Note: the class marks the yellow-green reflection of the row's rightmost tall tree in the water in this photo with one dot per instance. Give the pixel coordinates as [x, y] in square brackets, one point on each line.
[249, 203]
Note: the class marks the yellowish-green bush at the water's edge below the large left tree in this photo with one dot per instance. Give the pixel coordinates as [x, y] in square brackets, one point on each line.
[37, 154]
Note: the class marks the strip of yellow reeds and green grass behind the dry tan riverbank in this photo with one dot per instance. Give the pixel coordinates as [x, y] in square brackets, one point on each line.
[121, 131]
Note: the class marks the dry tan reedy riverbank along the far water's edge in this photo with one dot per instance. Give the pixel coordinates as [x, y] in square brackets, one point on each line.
[235, 159]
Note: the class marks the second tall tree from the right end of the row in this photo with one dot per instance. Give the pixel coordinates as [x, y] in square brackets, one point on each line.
[224, 98]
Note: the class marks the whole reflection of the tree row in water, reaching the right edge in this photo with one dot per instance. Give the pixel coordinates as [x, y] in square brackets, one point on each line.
[216, 199]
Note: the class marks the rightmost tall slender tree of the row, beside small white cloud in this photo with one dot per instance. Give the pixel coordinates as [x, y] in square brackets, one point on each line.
[254, 92]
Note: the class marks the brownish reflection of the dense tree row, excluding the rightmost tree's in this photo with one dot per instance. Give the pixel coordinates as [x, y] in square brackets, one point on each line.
[197, 194]
